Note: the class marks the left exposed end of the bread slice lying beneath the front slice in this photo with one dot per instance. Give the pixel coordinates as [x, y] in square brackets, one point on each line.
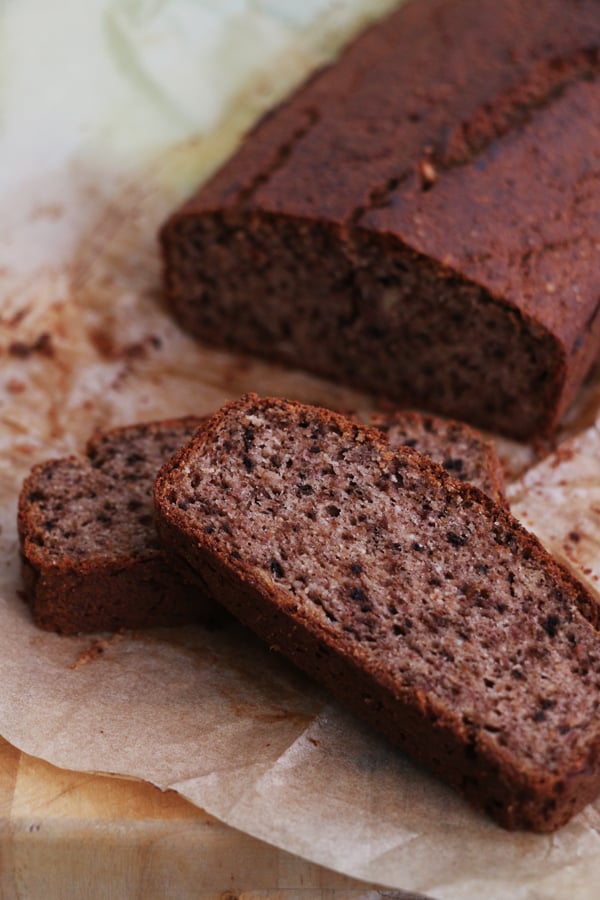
[90, 554]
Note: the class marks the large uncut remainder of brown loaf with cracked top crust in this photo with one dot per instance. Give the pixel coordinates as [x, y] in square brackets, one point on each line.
[420, 219]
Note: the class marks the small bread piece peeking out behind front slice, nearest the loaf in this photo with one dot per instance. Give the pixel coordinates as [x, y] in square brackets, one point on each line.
[461, 450]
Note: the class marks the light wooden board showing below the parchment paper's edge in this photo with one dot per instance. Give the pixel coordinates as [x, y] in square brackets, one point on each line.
[71, 835]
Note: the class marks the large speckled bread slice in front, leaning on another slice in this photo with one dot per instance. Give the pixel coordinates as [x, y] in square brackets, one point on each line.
[421, 603]
